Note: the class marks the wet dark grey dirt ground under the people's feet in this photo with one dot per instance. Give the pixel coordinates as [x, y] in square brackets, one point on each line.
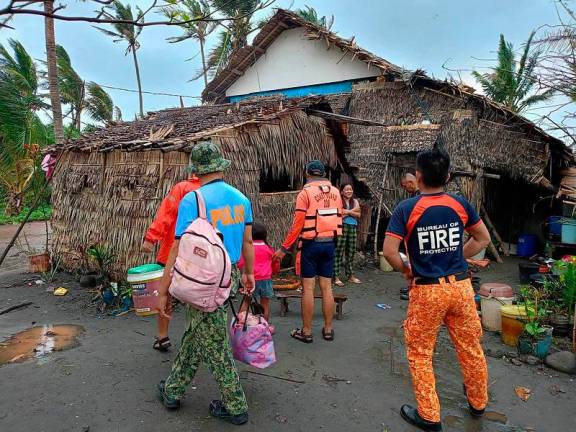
[357, 383]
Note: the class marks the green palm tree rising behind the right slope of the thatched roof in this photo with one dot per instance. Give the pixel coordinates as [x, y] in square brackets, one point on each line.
[512, 83]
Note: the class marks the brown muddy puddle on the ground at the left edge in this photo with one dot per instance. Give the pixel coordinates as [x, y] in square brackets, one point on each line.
[38, 342]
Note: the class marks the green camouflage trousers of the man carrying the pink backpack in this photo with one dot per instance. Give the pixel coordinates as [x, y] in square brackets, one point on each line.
[205, 341]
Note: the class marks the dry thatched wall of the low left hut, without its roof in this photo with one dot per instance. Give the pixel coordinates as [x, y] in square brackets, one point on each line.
[111, 196]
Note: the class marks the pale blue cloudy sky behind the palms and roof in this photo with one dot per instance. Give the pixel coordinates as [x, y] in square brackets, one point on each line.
[425, 34]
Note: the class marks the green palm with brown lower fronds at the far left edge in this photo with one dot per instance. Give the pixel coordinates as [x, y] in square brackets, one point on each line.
[21, 132]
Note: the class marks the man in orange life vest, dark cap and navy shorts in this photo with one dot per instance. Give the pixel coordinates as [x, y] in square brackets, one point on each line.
[317, 224]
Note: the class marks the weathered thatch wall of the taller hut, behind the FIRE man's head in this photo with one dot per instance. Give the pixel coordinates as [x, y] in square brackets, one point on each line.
[477, 138]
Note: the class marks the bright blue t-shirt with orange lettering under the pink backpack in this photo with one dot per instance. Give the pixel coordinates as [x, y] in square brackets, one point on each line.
[228, 210]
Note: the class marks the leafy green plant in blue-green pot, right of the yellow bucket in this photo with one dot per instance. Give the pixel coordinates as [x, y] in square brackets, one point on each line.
[537, 336]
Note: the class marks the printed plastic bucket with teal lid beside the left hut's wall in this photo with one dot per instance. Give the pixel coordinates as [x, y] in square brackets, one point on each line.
[145, 281]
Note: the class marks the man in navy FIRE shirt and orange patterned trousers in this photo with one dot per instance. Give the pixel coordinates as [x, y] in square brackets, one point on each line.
[432, 226]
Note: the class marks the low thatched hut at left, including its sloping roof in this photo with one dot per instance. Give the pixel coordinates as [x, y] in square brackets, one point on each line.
[109, 184]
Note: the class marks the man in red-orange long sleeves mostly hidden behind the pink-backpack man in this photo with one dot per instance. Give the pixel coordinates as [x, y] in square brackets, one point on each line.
[162, 230]
